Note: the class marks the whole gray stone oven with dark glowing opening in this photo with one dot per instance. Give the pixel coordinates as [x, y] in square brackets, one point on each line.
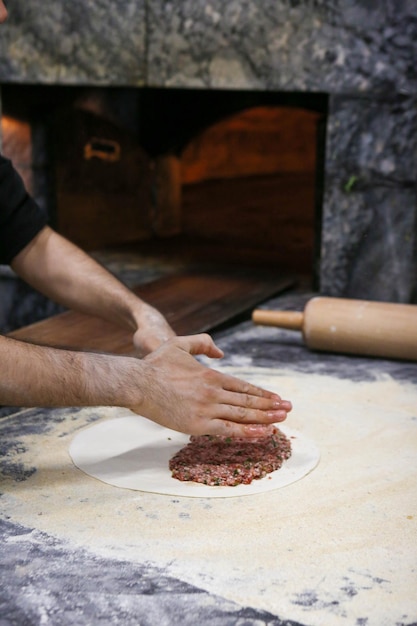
[280, 133]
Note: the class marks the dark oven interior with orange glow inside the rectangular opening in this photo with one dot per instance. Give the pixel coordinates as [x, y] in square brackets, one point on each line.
[231, 176]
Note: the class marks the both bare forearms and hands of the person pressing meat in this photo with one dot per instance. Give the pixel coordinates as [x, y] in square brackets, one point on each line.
[168, 386]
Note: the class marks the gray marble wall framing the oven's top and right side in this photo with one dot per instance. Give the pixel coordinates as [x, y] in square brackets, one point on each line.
[362, 53]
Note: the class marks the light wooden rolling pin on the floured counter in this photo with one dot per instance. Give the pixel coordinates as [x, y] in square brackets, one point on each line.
[354, 326]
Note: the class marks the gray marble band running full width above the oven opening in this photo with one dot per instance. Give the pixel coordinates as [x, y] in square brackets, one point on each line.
[321, 45]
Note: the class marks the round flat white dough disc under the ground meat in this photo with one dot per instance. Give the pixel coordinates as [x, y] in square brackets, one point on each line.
[134, 453]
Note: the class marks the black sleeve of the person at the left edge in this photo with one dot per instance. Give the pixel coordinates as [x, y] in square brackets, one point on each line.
[21, 218]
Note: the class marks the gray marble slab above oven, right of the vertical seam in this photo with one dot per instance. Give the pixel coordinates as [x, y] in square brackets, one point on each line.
[330, 46]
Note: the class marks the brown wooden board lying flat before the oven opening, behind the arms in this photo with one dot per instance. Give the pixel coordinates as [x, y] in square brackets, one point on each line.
[192, 301]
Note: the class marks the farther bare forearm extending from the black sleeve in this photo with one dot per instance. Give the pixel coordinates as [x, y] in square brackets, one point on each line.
[66, 274]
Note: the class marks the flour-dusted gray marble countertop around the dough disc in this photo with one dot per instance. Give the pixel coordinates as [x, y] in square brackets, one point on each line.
[337, 547]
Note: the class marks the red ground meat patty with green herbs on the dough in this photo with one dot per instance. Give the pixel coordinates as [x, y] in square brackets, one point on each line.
[229, 461]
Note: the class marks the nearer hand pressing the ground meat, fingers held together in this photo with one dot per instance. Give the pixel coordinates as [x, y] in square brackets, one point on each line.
[182, 394]
